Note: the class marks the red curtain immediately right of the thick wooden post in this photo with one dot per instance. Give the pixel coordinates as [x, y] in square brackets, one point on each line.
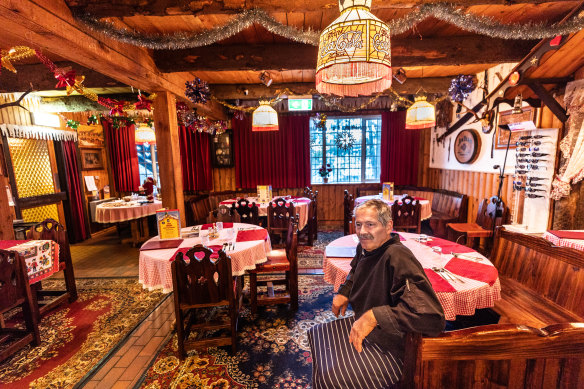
[195, 157]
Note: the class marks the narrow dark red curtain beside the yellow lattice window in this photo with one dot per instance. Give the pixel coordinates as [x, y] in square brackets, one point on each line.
[76, 192]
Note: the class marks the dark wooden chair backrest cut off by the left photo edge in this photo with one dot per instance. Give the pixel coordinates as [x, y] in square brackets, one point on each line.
[13, 280]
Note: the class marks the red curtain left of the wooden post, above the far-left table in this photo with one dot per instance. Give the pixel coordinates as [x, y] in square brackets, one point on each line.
[121, 145]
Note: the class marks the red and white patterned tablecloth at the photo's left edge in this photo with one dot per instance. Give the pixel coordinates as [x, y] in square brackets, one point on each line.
[41, 256]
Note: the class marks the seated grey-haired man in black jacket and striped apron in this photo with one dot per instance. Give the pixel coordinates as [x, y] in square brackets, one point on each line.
[390, 294]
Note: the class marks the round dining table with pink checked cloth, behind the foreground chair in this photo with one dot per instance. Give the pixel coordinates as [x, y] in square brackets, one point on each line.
[246, 244]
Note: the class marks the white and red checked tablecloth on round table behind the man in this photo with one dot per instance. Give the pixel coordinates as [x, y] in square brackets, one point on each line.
[463, 300]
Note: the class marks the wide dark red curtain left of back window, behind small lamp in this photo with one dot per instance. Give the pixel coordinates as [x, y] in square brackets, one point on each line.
[277, 158]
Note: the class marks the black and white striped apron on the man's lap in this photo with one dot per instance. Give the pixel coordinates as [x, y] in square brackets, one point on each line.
[336, 363]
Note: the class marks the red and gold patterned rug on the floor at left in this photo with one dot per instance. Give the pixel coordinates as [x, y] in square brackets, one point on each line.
[76, 337]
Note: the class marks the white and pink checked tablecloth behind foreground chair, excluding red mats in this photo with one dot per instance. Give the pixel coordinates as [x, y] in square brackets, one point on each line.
[154, 267]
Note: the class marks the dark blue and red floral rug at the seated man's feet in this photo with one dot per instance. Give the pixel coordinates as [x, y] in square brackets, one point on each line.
[273, 350]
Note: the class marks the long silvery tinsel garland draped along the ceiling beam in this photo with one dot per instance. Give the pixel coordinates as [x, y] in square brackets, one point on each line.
[448, 13]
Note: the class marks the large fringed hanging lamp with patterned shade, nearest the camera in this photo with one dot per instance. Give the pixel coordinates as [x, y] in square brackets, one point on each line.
[354, 53]
